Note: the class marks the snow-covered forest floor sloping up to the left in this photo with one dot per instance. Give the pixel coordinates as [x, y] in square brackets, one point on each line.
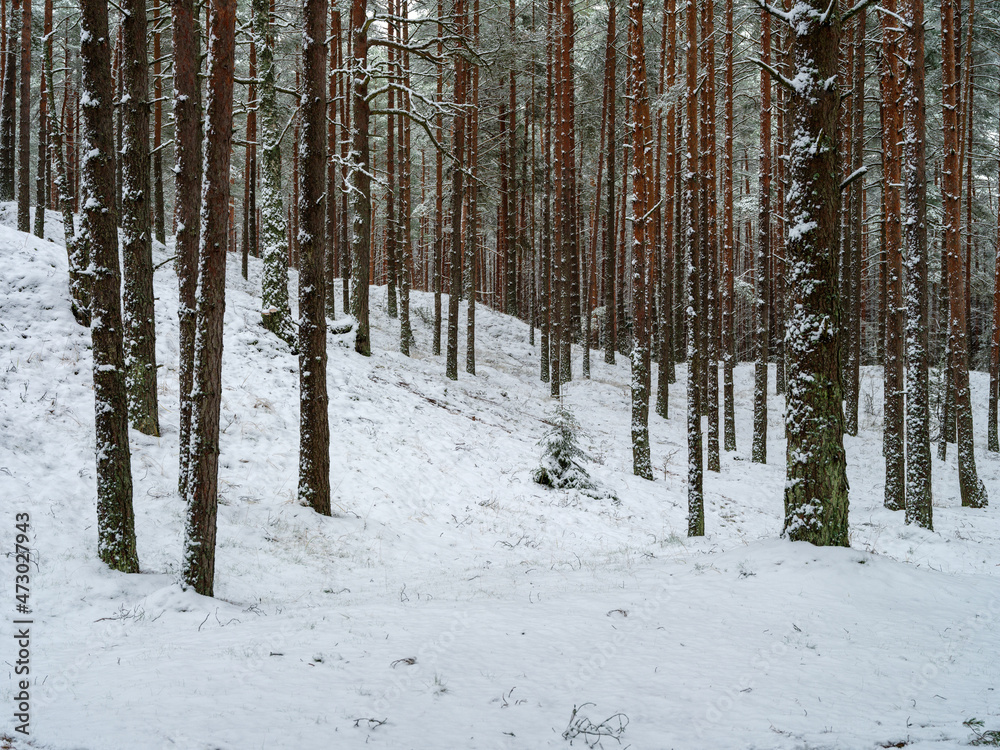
[451, 602]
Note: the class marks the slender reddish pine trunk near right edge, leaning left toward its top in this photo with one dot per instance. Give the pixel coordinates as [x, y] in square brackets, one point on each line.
[972, 489]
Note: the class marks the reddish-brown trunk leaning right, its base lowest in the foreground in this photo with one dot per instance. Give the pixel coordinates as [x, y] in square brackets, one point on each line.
[198, 569]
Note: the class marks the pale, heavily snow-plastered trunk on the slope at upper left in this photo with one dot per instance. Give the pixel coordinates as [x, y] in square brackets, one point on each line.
[275, 309]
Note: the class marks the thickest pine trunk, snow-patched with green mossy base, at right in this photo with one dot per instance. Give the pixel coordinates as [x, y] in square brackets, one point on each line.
[816, 491]
